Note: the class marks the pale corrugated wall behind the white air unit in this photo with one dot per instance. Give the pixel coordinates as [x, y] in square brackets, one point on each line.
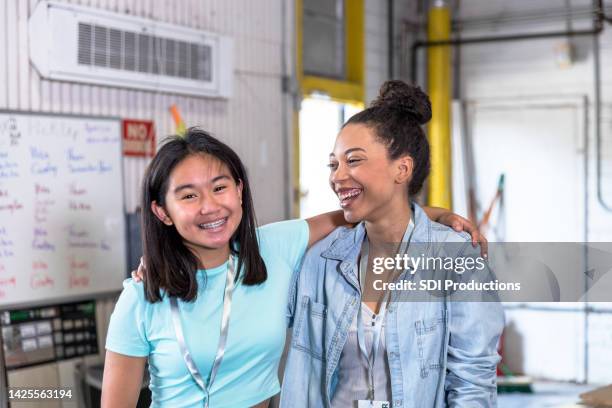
[256, 30]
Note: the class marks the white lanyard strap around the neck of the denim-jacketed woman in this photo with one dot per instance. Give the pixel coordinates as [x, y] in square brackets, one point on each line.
[378, 322]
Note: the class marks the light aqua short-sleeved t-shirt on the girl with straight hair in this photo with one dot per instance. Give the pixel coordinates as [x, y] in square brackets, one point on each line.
[256, 334]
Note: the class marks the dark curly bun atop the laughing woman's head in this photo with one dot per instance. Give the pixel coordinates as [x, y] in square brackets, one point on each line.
[406, 99]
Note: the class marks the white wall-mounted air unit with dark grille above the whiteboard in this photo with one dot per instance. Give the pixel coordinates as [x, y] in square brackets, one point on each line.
[82, 44]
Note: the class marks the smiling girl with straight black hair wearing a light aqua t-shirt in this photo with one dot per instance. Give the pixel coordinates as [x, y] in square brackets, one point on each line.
[210, 316]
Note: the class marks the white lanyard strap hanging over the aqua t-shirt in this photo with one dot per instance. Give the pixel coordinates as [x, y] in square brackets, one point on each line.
[180, 336]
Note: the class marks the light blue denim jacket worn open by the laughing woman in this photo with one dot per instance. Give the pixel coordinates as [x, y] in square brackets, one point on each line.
[440, 352]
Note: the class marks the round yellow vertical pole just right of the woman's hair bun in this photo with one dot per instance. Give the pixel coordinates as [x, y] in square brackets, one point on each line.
[439, 88]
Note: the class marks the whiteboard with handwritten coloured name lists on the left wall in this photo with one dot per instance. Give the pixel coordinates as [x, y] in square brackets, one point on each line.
[62, 226]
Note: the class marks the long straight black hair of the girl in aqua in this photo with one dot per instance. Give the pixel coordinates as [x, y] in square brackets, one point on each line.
[170, 265]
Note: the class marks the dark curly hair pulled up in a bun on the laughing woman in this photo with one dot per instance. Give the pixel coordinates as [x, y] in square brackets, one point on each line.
[396, 116]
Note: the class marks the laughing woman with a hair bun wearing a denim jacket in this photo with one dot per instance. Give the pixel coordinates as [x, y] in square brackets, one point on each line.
[355, 345]
